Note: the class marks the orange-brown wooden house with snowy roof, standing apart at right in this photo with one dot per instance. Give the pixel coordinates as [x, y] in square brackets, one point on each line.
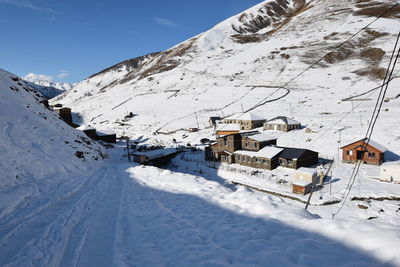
[371, 153]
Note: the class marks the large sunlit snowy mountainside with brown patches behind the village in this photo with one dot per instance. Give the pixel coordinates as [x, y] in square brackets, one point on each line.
[242, 64]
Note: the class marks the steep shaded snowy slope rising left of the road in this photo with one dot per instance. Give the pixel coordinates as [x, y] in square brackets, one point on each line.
[36, 144]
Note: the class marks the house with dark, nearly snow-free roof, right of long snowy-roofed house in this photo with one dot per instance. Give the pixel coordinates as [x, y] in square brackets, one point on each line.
[297, 157]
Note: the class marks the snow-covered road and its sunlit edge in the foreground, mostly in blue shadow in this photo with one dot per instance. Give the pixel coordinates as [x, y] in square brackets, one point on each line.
[121, 215]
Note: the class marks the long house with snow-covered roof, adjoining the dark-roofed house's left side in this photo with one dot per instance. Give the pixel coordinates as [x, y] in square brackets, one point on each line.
[266, 158]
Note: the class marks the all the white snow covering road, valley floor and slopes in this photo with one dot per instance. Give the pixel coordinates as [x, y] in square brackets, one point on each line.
[59, 210]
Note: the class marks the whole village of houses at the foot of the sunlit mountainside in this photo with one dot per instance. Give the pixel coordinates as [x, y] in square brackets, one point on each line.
[247, 143]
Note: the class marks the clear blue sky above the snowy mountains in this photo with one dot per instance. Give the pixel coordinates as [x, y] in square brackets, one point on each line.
[69, 40]
